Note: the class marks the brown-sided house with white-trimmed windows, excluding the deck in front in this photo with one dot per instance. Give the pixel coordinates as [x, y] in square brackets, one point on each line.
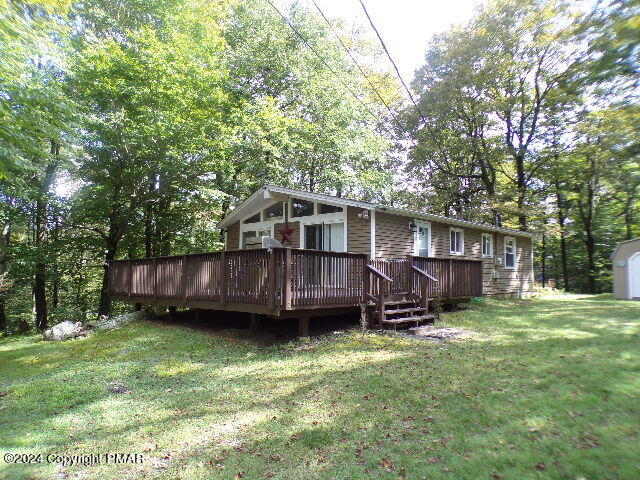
[300, 219]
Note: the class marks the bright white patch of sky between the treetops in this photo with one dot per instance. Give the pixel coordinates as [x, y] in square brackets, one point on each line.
[405, 25]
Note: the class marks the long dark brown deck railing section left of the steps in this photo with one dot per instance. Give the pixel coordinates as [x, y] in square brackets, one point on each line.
[278, 278]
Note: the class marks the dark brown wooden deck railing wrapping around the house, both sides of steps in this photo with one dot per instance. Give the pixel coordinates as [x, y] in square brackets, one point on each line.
[278, 280]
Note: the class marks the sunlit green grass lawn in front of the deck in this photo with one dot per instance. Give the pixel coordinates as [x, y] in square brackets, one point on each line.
[549, 388]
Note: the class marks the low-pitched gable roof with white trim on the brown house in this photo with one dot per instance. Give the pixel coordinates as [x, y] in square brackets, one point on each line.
[273, 193]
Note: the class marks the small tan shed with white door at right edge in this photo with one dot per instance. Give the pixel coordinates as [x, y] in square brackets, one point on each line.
[626, 270]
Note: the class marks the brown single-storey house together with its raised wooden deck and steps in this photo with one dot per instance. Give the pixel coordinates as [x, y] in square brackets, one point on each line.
[293, 253]
